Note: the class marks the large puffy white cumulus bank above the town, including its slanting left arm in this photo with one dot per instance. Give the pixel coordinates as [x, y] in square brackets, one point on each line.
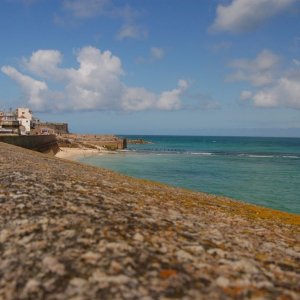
[95, 84]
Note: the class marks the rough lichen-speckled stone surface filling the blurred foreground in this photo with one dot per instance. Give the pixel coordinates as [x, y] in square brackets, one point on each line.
[71, 231]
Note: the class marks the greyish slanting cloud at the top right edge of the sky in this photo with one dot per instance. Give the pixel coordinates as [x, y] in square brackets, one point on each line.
[245, 15]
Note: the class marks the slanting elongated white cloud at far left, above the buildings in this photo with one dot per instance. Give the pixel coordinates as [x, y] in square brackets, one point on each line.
[35, 90]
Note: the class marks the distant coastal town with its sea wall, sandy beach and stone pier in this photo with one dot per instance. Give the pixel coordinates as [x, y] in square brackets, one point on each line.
[21, 128]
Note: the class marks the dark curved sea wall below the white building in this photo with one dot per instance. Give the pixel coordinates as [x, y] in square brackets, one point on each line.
[40, 143]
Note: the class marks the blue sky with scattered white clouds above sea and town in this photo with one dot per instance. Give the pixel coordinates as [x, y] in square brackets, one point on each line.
[186, 67]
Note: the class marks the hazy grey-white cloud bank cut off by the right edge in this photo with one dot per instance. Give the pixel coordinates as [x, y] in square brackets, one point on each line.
[271, 89]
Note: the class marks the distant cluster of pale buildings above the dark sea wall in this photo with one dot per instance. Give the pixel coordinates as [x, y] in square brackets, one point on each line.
[22, 122]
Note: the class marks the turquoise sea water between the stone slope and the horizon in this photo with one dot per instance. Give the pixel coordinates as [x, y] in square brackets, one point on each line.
[264, 171]
